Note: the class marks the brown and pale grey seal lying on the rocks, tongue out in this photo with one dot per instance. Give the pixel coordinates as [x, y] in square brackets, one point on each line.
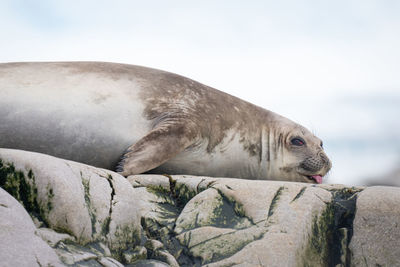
[137, 119]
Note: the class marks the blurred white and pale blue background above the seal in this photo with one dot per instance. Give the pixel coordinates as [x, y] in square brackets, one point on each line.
[332, 66]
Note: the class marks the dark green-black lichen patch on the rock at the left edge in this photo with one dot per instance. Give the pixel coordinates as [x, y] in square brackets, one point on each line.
[24, 189]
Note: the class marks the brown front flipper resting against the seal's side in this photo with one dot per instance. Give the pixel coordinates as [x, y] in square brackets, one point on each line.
[155, 148]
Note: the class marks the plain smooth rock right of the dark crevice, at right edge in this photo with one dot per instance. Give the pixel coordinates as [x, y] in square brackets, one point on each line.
[376, 226]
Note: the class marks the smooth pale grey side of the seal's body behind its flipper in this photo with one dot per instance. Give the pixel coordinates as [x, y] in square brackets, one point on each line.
[90, 119]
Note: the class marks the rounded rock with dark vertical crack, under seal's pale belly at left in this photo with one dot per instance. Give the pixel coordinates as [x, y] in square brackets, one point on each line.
[88, 203]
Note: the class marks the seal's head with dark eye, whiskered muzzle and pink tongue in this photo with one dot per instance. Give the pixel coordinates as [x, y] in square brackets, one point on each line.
[299, 154]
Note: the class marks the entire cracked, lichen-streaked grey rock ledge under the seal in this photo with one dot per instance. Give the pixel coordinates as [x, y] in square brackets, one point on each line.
[55, 212]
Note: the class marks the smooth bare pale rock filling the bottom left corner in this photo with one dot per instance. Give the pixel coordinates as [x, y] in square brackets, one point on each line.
[19, 245]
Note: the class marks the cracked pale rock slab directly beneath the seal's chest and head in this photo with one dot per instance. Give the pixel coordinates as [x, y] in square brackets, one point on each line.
[223, 222]
